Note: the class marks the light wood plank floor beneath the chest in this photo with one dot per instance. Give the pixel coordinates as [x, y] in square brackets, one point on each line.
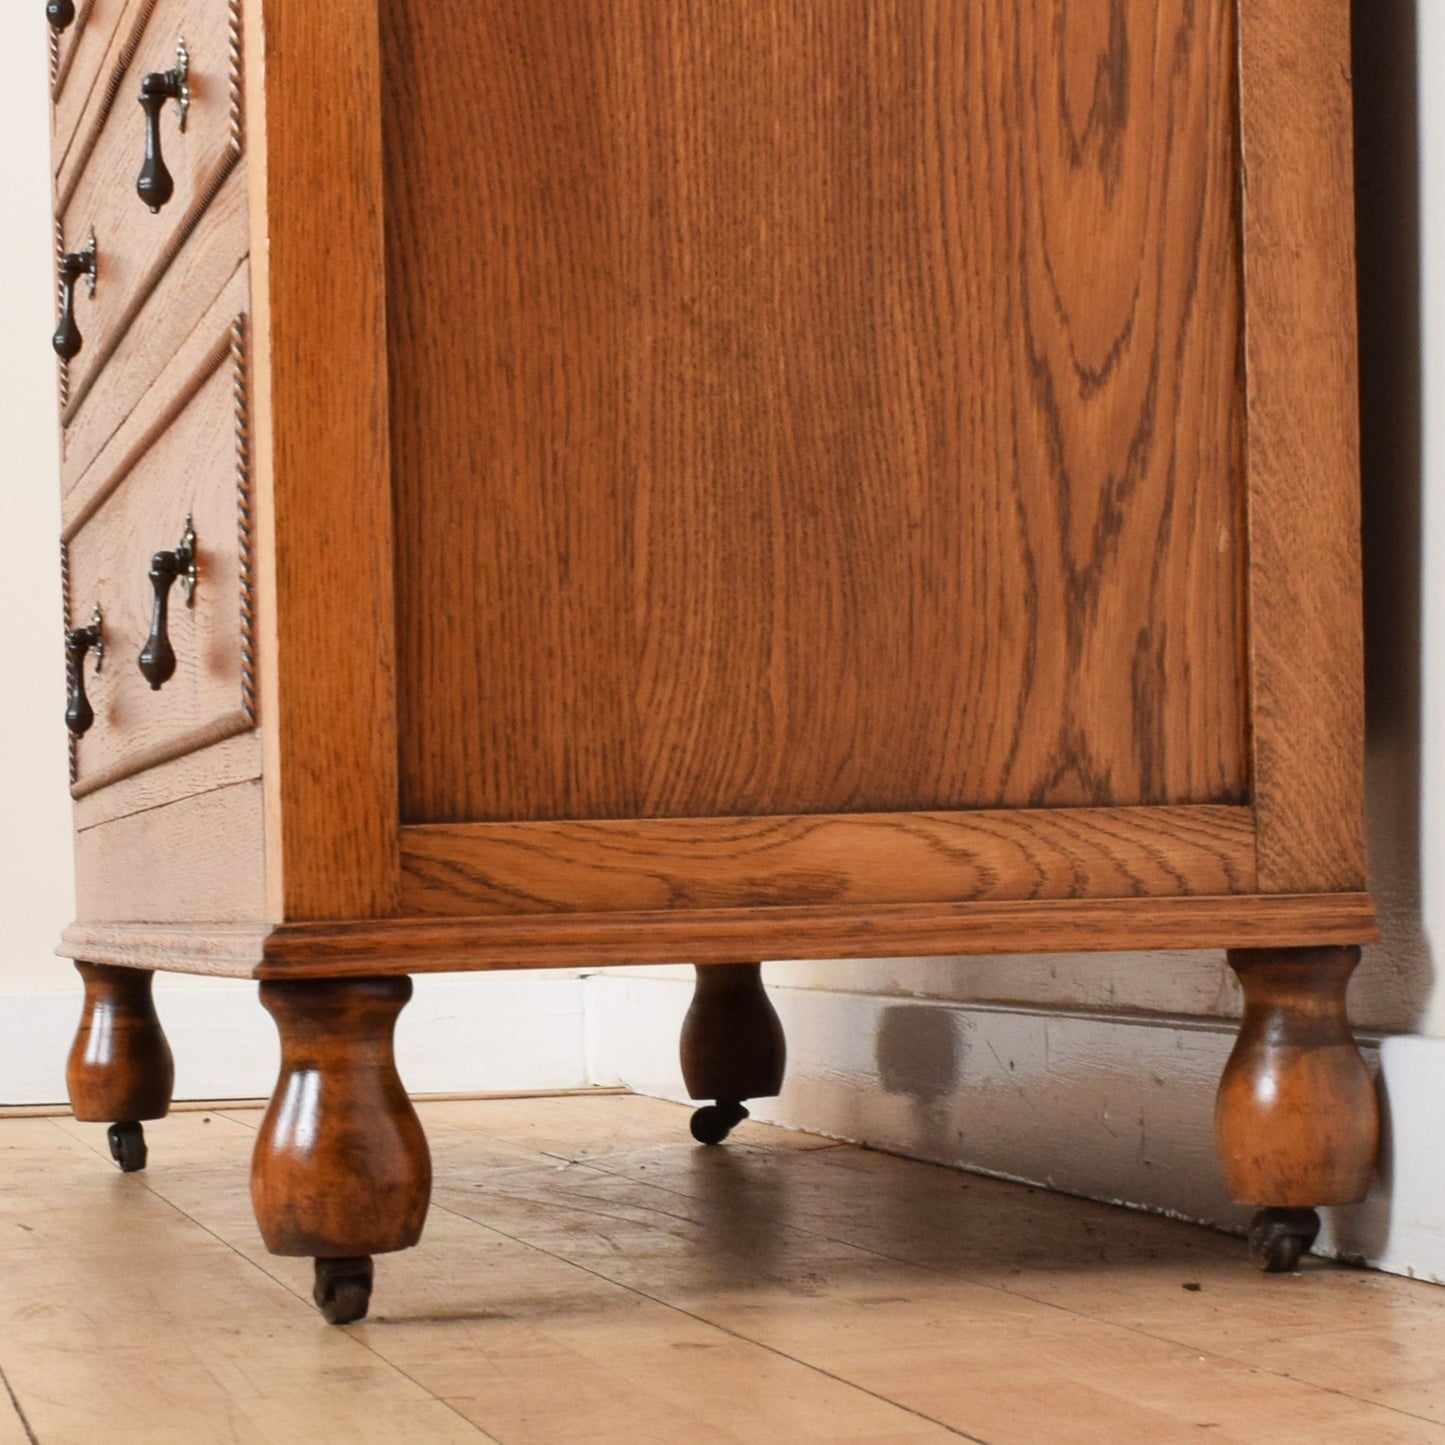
[589, 1275]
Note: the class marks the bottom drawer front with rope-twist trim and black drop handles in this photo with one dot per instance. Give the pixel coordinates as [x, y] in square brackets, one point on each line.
[194, 467]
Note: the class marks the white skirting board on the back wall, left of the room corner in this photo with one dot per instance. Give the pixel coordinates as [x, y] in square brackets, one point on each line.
[459, 1035]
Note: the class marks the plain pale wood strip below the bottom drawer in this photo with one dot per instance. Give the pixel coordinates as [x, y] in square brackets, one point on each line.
[194, 860]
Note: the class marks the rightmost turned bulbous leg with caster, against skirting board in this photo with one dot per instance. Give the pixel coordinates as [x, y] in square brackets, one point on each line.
[1297, 1121]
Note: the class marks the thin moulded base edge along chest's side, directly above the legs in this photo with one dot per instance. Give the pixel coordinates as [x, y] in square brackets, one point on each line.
[908, 930]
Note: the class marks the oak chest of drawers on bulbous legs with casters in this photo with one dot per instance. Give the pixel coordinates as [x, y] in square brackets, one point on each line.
[798, 480]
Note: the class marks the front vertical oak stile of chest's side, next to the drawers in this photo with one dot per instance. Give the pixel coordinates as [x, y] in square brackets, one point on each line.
[323, 459]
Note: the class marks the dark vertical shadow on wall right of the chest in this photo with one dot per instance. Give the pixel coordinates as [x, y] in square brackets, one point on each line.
[1397, 982]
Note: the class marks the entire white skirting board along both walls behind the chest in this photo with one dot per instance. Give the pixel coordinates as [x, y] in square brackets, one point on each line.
[1108, 1106]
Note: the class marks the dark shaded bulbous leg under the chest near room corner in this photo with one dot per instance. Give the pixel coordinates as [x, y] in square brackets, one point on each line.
[733, 1047]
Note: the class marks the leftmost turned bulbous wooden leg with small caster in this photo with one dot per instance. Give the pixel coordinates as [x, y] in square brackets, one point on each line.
[121, 1069]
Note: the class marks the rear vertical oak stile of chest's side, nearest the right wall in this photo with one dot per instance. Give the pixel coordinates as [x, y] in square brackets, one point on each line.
[1304, 466]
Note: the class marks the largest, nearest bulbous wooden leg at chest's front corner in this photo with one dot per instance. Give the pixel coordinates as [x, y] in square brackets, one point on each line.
[342, 1170]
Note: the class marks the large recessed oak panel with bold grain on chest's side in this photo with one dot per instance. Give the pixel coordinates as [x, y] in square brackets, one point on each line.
[814, 407]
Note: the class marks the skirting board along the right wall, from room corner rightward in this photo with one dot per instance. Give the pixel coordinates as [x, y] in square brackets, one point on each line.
[1105, 1106]
